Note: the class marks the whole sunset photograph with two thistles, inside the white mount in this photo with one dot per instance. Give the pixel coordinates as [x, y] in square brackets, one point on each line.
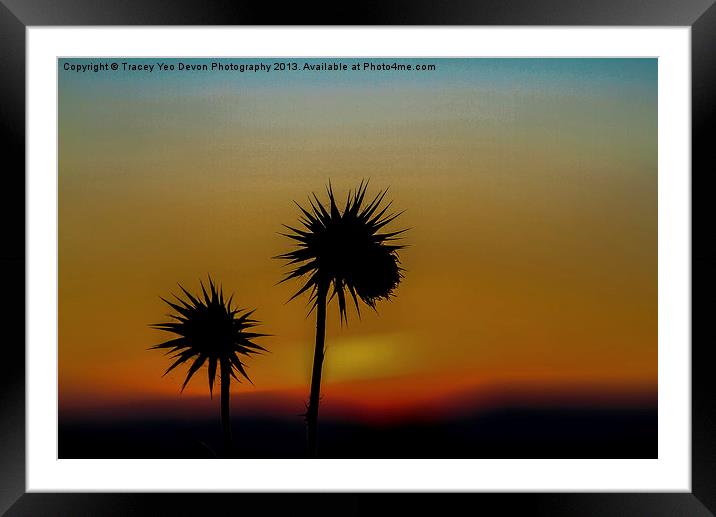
[357, 257]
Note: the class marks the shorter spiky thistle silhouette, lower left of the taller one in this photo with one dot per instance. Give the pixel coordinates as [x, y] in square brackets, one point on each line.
[210, 331]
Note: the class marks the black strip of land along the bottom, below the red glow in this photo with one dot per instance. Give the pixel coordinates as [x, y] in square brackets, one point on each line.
[504, 433]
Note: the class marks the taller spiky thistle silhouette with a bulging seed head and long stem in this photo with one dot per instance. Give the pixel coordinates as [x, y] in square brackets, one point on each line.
[344, 251]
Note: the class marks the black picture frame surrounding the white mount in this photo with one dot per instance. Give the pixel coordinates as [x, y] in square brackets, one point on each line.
[16, 15]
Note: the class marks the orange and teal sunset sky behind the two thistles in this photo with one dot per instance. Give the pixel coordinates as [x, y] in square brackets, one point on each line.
[529, 187]
